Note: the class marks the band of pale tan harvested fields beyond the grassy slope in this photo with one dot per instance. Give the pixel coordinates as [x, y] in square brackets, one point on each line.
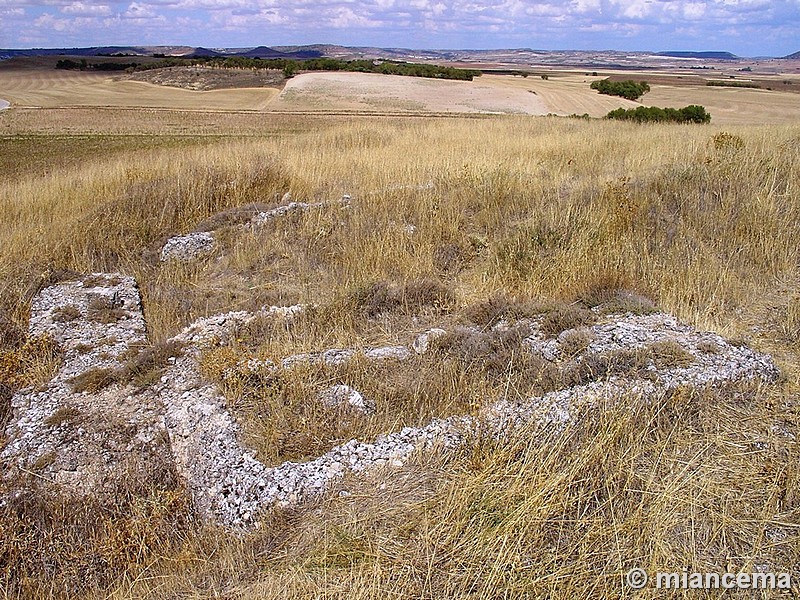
[359, 93]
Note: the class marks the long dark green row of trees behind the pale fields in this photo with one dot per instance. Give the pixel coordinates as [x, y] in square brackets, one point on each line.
[288, 66]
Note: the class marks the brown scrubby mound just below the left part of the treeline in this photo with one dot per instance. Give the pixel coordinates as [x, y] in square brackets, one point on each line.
[208, 78]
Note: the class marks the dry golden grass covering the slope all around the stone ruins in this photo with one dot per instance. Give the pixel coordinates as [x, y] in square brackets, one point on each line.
[536, 208]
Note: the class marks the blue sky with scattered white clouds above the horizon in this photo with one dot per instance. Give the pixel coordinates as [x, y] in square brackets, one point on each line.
[744, 27]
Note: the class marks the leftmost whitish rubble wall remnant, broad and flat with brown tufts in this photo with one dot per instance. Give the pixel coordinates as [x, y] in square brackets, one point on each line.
[67, 432]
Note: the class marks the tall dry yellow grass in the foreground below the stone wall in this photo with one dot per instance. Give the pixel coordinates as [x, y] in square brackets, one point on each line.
[653, 485]
